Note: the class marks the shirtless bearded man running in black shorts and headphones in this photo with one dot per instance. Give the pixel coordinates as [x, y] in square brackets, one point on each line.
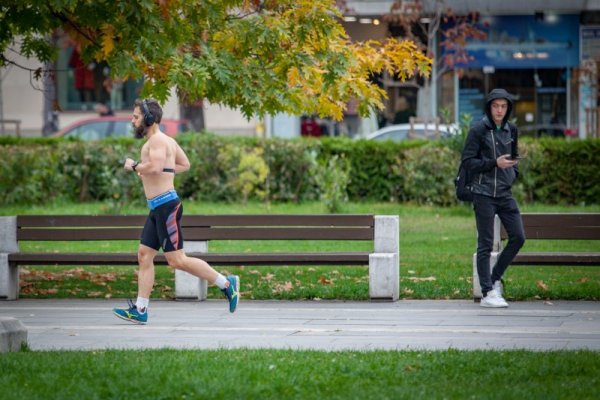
[161, 159]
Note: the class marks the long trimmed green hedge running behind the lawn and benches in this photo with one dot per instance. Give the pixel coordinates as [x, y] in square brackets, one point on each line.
[241, 168]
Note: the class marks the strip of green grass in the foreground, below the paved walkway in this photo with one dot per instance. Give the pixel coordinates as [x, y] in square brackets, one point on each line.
[288, 374]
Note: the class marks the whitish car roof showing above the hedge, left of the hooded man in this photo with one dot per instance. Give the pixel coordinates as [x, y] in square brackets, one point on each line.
[402, 132]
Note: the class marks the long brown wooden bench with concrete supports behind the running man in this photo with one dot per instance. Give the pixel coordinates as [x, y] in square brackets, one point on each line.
[198, 230]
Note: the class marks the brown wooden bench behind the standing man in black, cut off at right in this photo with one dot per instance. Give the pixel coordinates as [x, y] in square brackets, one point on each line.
[548, 226]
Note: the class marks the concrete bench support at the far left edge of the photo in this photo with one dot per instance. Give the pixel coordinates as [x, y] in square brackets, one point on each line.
[9, 276]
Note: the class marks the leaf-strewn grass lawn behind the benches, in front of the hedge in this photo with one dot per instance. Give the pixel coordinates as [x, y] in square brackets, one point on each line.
[436, 246]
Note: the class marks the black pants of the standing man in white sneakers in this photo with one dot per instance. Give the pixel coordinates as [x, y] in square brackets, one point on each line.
[485, 208]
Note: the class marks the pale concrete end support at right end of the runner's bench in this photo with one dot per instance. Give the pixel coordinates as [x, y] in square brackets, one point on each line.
[384, 263]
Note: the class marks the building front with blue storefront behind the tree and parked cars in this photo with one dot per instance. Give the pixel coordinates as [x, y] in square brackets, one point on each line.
[545, 52]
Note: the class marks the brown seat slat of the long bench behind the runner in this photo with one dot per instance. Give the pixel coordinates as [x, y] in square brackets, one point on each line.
[333, 258]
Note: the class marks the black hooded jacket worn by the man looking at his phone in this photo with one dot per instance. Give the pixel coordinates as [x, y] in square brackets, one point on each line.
[485, 143]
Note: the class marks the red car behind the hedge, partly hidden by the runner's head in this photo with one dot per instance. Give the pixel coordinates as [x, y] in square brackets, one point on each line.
[103, 127]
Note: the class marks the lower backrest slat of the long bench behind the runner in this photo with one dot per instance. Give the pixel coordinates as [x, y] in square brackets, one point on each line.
[125, 233]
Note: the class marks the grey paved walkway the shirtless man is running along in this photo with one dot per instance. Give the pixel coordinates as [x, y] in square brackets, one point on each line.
[323, 325]
